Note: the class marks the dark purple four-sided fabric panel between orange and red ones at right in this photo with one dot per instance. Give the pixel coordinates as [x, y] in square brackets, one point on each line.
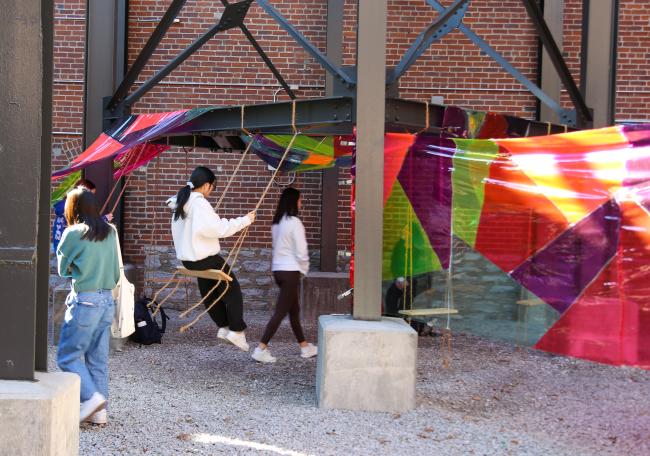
[558, 273]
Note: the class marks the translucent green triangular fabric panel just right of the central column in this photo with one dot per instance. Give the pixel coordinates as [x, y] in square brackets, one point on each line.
[395, 245]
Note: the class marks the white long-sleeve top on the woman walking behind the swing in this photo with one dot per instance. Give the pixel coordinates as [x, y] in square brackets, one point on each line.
[290, 246]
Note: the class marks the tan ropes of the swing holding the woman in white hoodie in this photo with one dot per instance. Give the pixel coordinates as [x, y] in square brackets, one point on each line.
[234, 253]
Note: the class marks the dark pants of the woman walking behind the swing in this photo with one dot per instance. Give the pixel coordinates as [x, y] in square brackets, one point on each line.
[288, 303]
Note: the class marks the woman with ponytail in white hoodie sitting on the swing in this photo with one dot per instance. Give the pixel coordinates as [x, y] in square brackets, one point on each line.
[196, 229]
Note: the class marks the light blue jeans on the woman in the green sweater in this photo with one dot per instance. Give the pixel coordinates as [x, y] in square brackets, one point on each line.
[85, 335]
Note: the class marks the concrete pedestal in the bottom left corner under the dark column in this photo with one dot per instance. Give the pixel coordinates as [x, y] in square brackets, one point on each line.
[41, 417]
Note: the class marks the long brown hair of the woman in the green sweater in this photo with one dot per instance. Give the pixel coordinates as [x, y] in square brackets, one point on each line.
[81, 206]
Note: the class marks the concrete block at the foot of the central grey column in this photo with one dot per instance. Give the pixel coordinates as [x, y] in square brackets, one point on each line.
[366, 365]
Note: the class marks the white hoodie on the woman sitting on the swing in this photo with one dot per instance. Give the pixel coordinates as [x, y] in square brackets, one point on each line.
[197, 235]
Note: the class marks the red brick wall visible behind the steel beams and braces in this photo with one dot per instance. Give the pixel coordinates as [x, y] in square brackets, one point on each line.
[228, 71]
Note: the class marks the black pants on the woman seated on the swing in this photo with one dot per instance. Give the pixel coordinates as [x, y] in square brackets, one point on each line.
[230, 310]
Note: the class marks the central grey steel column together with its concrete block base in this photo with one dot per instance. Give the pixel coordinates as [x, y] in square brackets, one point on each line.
[366, 362]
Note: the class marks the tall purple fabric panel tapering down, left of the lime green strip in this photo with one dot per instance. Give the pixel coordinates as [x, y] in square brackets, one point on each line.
[426, 178]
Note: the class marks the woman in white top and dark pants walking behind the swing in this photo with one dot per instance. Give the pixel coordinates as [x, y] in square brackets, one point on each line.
[290, 259]
